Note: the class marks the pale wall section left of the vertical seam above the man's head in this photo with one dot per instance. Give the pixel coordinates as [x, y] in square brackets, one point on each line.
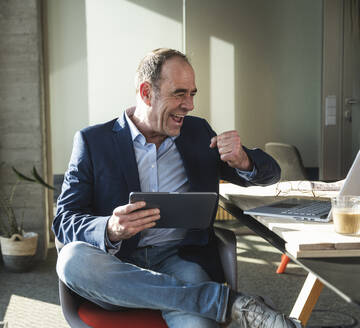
[94, 49]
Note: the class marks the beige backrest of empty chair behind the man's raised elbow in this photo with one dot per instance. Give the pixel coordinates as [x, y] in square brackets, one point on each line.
[289, 160]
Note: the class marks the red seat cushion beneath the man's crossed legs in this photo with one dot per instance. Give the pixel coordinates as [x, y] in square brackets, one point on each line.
[96, 317]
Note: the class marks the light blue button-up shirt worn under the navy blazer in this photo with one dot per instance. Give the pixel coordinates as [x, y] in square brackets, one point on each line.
[161, 170]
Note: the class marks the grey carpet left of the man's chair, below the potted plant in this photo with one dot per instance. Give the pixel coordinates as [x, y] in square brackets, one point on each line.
[31, 299]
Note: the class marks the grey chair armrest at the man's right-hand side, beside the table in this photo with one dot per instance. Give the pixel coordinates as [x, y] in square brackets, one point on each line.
[226, 242]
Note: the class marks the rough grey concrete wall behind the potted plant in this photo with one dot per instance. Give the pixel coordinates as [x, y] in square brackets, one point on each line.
[21, 110]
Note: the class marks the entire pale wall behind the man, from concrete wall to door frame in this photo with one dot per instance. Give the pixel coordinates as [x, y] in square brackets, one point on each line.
[257, 63]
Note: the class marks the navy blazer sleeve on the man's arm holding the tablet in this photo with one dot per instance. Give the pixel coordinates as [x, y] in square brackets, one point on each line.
[74, 220]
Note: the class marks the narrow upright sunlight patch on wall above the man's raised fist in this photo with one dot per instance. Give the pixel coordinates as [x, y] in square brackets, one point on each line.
[222, 85]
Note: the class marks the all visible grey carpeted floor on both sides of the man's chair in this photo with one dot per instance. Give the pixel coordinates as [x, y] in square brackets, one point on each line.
[30, 300]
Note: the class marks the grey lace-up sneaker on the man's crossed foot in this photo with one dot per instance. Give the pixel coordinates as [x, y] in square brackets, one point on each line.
[252, 312]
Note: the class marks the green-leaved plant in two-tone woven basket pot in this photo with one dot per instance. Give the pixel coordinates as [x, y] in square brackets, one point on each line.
[17, 246]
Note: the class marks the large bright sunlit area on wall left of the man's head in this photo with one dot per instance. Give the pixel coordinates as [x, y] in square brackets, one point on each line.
[119, 34]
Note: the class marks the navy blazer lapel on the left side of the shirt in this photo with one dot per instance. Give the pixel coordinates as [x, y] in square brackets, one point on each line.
[127, 160]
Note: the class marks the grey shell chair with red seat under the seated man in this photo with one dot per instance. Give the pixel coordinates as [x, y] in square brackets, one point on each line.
[80, 313]
